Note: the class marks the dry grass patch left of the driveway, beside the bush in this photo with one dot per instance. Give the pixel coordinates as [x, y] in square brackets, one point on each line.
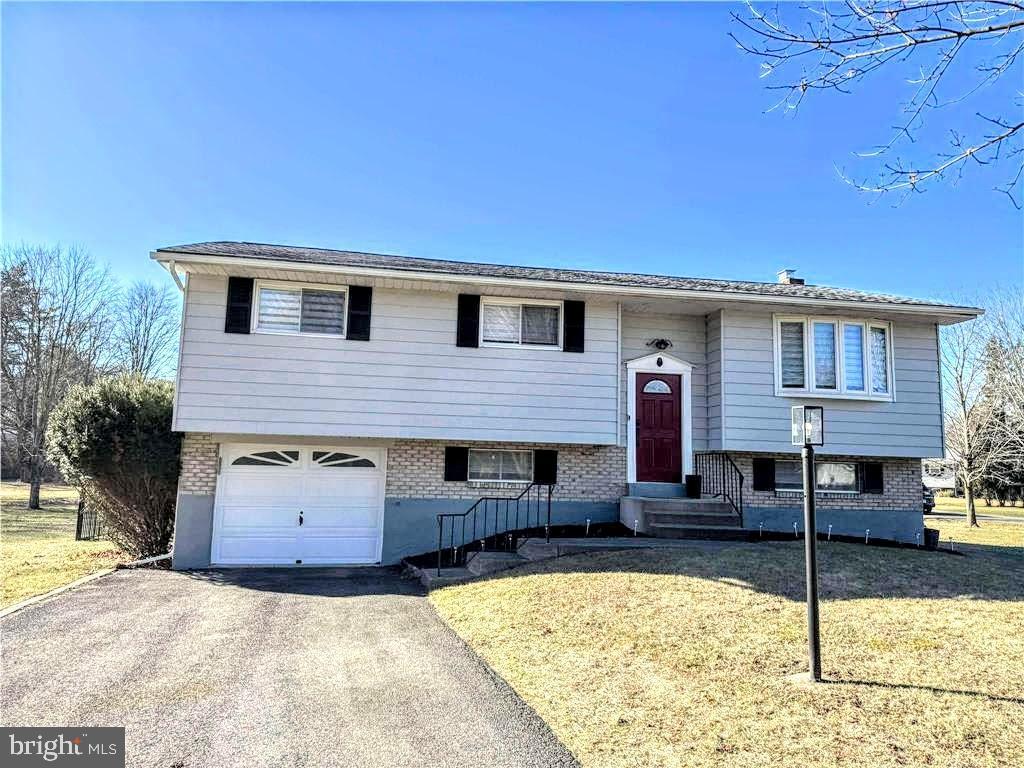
[38, 551]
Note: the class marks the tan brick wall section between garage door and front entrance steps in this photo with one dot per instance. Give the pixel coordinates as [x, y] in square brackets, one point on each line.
[592, 474]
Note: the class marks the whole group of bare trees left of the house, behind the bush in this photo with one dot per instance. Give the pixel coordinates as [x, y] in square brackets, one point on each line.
[67, 321]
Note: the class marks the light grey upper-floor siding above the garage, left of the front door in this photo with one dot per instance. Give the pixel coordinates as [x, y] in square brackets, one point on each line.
[410, 380]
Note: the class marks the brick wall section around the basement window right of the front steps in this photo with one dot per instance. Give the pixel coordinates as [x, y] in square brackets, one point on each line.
[902, 484]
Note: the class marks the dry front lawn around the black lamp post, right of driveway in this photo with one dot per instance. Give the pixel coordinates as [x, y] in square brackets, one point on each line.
[680, 658]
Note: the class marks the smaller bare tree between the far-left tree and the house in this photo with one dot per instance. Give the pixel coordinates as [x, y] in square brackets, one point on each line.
[147, 330]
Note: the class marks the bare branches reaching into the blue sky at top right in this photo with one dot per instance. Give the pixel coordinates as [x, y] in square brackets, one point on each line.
[834, 47]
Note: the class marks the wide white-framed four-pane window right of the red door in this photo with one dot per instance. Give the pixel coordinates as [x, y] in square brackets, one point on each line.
[833, 358]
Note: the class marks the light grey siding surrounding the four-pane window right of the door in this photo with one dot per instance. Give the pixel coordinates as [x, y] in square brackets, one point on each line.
[755, 419]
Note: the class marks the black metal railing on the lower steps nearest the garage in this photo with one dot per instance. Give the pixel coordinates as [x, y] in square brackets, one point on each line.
[493, 523]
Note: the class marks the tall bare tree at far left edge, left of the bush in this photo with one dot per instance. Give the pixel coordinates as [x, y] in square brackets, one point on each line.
[57, 321]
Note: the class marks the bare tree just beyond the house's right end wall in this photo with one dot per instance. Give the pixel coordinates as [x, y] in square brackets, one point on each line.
[976, 443]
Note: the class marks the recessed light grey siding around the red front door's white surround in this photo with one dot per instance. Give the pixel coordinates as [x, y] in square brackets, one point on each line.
[687, 332]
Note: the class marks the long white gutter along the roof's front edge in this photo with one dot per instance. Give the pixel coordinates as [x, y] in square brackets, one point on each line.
[677, 293]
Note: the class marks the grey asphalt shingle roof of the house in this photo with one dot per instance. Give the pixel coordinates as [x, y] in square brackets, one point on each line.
[584, 278]
